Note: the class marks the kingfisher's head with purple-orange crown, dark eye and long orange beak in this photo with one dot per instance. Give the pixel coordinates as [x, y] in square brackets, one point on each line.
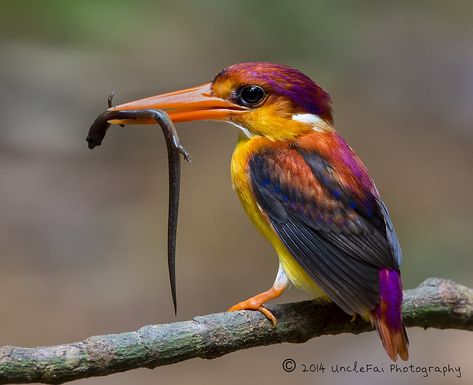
[265, 99]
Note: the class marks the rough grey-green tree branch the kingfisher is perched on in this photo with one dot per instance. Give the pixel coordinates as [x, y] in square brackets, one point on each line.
[436, 303]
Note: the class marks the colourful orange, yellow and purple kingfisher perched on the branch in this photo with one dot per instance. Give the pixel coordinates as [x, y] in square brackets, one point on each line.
[304, 188]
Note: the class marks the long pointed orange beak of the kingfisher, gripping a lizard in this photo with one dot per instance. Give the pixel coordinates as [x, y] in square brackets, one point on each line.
[195, 103]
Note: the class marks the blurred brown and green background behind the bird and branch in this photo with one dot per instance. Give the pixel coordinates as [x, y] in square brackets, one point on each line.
[82, 233]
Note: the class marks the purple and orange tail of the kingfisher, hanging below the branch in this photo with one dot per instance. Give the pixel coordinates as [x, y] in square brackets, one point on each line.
[386, 317]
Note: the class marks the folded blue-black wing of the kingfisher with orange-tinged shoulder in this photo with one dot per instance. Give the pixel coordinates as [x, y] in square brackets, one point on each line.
[342, 256]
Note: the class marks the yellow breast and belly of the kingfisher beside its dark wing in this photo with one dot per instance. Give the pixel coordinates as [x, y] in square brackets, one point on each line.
[244, 149]
